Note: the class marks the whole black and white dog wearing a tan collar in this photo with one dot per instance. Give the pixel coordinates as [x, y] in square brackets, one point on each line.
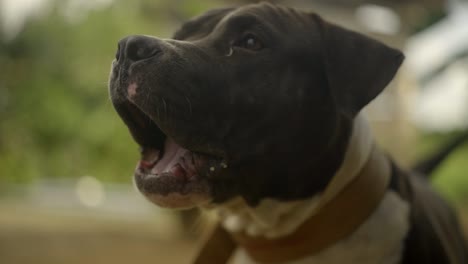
[255, 112]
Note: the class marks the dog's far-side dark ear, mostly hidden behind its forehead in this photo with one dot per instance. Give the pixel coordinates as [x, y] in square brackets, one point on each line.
[201, 25]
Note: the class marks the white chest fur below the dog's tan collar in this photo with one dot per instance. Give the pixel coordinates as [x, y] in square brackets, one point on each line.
[378, 240]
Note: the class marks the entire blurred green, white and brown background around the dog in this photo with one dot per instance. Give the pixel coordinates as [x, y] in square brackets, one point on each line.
[66, 159]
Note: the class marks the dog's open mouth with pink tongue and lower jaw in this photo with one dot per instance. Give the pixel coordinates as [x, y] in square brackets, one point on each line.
[168, 174]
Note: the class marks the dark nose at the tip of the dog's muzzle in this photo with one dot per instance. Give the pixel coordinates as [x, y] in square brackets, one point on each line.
[136, 48]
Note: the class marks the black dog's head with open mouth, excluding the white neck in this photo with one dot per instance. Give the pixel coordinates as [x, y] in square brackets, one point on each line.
[256, 101]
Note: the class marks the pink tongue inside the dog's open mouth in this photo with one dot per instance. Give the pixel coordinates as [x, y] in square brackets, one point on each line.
[172, 155]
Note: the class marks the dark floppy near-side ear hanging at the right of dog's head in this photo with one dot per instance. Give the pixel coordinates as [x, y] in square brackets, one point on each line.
[358, 68]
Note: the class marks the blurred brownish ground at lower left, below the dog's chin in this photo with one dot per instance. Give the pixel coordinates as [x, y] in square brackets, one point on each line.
[38, 237]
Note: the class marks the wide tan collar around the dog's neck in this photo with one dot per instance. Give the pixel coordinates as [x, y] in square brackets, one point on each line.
[337, 218]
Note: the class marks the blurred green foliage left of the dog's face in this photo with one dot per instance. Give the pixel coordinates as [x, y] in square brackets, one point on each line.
[55, 116]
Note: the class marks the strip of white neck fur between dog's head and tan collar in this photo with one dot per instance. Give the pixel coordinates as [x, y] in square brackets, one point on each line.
[273, 218]
